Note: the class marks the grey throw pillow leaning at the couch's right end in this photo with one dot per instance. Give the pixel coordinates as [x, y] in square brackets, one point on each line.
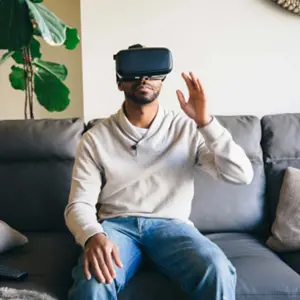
[286, 227]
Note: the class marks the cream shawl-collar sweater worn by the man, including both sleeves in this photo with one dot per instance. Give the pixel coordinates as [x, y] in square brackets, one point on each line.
[152, 175]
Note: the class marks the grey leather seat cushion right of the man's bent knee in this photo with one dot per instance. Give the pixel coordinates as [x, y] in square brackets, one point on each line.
[260, 271]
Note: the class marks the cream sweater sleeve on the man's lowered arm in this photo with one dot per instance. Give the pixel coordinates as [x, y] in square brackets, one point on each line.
[80, 213]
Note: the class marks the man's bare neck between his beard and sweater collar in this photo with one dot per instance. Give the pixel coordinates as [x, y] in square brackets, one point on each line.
[140, 115]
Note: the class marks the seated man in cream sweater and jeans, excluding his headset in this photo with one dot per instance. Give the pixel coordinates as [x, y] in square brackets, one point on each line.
[138, 166]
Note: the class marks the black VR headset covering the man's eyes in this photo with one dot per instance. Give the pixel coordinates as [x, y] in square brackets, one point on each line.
[133, 64]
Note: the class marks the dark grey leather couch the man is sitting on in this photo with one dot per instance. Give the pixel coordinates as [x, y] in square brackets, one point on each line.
[36, 159]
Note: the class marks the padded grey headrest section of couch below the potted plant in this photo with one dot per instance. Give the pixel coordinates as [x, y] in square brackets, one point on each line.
[39, 139]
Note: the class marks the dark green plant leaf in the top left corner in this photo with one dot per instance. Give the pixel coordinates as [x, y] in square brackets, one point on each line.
[15, 26]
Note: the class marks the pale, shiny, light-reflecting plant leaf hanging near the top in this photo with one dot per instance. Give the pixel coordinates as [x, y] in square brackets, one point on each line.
[53, 30]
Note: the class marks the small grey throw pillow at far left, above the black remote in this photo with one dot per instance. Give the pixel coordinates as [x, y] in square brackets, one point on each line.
[10, 237]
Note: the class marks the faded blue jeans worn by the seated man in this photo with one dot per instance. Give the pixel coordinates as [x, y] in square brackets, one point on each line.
[176, 249]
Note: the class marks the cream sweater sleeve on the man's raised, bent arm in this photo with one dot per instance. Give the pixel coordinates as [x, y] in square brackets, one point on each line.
[220, 156]
